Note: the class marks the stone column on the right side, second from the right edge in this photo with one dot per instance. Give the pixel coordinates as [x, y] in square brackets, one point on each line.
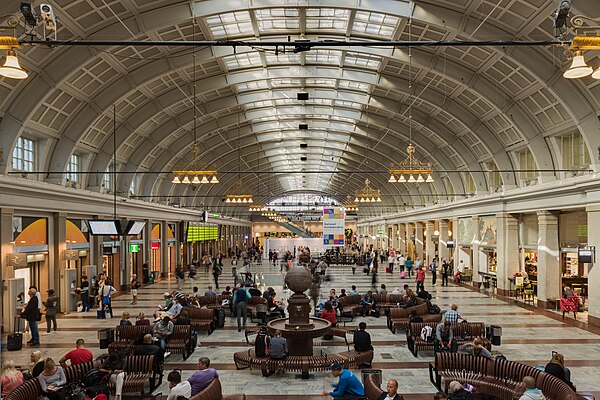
[549, 271]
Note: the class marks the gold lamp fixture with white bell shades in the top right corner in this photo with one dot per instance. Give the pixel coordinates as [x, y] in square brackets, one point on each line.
[582, 41]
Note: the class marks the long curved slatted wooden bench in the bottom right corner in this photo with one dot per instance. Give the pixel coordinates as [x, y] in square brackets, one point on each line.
[497, 378]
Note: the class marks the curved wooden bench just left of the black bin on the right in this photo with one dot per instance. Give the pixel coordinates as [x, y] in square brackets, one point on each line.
[470, 329]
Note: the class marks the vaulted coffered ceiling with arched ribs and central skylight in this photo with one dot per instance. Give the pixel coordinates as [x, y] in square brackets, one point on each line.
[472, 108]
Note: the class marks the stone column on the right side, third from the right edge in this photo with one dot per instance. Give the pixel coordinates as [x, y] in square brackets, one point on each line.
[507, 250]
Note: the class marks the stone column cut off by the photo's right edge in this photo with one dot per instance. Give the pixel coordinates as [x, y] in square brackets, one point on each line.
[593, 213]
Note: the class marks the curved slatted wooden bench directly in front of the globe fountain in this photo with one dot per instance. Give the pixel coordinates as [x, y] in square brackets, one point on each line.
[303, 364]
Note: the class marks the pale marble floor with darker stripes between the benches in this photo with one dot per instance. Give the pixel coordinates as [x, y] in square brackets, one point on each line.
[529, 336]
